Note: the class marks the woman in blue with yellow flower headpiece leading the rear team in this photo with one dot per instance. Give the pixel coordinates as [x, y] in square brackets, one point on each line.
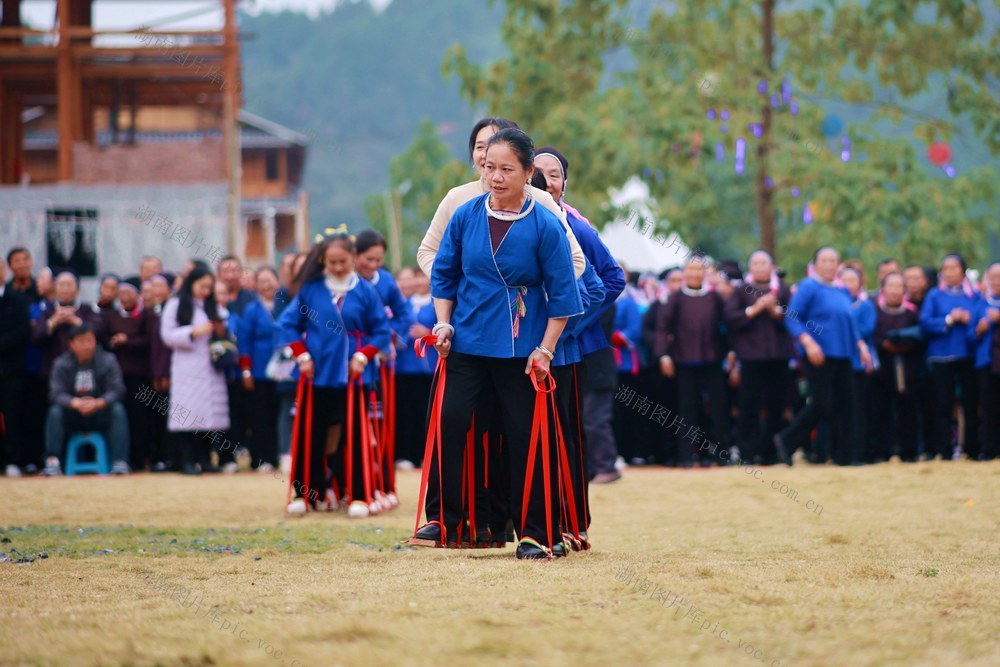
[326, 350]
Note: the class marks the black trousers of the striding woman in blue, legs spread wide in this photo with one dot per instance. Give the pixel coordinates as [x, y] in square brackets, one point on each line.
[831, 398]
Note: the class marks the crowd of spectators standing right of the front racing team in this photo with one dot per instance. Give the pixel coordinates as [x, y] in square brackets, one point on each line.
[910, 369]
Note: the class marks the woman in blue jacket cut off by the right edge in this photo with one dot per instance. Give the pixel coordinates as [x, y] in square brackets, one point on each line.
[985, 336]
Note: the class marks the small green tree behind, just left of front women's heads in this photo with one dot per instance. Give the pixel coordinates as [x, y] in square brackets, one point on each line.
[419, 178]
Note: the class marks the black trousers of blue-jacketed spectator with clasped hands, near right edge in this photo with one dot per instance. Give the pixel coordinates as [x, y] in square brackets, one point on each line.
[955, 379]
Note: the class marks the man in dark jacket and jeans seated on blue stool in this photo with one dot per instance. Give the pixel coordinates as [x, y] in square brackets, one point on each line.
[86, 391]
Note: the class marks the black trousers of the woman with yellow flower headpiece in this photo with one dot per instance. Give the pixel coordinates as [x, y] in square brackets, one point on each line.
[328, 409]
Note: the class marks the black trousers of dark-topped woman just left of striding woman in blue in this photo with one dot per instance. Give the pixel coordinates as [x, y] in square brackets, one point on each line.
[763, 384]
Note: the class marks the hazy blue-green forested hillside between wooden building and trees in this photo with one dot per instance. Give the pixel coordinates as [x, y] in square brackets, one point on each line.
[358, 83]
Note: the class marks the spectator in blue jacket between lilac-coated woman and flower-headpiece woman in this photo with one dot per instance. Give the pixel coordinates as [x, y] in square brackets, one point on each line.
[256, 337]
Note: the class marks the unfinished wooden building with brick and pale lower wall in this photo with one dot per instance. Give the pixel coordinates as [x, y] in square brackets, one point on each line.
[121, 143]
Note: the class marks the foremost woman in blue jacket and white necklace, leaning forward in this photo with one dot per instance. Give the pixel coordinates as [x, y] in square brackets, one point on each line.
[504, 286]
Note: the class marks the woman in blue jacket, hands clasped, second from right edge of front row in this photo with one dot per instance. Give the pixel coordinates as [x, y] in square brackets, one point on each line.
[945, 319]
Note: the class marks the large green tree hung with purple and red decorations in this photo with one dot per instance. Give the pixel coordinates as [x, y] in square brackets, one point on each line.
[870, 62]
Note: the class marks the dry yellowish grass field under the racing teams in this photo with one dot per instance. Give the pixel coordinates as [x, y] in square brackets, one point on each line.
[882, 565]
